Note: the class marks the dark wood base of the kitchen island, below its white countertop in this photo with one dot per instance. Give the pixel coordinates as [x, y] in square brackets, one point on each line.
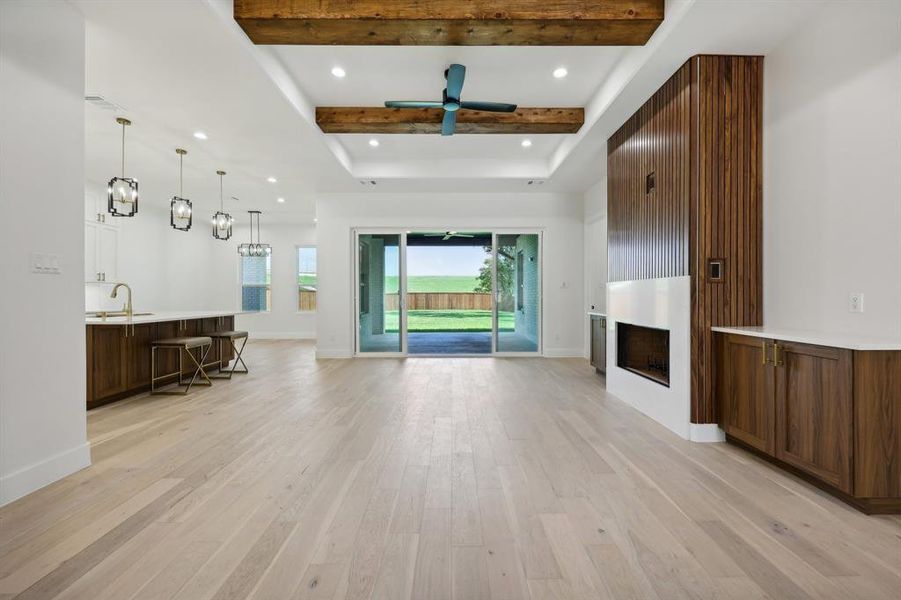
[118, 356]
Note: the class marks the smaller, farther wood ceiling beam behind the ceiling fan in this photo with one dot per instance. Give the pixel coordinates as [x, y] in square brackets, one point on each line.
[377, 119]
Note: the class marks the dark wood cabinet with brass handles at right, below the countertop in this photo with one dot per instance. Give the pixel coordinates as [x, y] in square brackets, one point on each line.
[831, 414]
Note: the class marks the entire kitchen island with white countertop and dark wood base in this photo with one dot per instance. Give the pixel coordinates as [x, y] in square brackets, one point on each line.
[118, 349]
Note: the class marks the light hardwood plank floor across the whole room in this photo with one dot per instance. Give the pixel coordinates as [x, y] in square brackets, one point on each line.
[426, 478]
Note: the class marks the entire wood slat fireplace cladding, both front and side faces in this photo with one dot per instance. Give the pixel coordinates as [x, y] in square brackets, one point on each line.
[700, 137]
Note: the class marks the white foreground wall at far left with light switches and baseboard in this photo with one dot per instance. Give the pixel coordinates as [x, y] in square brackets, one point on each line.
[42, 371]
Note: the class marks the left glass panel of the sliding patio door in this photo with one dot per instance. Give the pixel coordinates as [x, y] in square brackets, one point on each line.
[379, 286]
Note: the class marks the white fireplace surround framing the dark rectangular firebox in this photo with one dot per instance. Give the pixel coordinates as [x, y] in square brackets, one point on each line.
[665, 304]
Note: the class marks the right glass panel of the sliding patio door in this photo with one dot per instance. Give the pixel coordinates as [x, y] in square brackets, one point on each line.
[517, 292]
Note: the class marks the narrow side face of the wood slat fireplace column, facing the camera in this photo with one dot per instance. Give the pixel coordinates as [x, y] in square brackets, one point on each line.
[726, 209]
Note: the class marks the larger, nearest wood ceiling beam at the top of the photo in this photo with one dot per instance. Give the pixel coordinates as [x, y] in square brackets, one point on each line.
[450, 22]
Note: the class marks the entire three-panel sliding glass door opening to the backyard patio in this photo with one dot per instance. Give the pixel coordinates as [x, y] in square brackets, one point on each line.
[471, 293]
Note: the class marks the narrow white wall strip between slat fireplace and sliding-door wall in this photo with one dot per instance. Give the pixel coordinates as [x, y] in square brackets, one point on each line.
[595, 217]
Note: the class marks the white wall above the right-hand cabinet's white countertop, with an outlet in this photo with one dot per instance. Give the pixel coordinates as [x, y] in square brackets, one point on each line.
[832, 171]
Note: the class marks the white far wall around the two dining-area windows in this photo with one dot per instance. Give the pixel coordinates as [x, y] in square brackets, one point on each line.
[283, 321]
